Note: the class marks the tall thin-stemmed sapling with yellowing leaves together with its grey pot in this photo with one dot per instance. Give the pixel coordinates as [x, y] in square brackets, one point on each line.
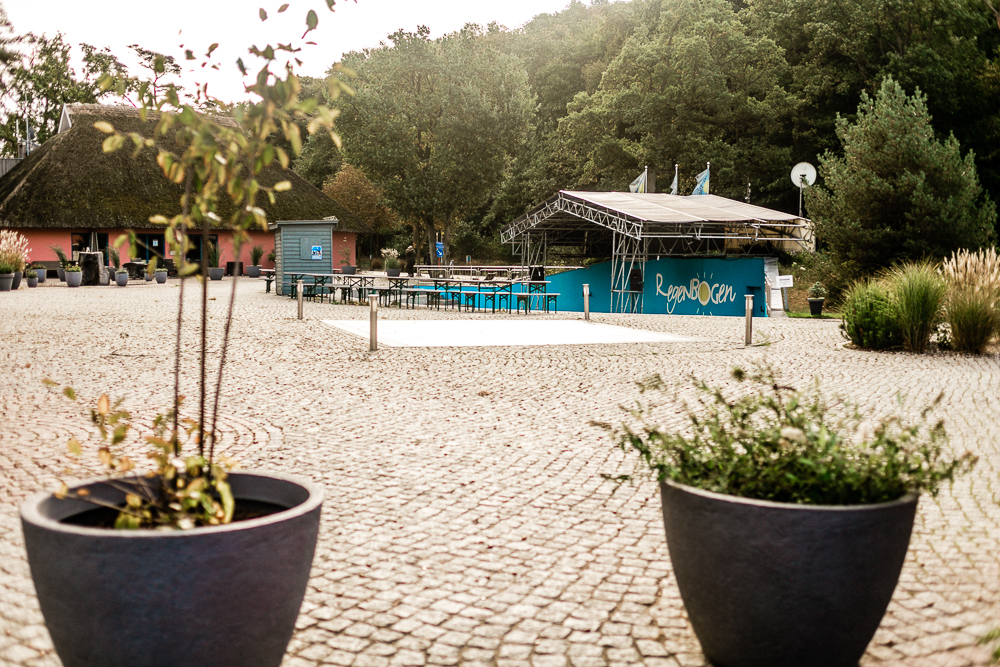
[192, 564]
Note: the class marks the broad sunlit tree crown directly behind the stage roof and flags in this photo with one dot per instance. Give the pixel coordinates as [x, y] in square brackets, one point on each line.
[695, 86]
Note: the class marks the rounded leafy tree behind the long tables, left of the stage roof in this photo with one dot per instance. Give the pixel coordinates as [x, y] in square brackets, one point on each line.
[435, 123]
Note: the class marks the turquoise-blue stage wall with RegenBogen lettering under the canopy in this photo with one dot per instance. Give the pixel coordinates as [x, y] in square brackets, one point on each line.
[672, 287]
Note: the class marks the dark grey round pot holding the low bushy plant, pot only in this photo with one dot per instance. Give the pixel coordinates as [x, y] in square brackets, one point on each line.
[780, 585]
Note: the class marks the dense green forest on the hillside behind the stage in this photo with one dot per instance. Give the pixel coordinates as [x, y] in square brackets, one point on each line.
[464, 133]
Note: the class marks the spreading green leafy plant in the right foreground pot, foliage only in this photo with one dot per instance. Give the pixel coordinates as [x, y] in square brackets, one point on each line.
[783, 445]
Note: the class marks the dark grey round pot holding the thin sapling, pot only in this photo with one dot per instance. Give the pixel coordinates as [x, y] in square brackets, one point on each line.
[221, 595]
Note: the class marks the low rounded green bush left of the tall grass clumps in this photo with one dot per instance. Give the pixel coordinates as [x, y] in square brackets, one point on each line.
[869, 318]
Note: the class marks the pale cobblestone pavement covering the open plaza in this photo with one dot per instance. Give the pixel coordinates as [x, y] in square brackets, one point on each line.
[466, 520]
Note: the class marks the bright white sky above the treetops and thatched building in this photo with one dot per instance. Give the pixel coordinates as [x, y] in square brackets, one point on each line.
[236, 24]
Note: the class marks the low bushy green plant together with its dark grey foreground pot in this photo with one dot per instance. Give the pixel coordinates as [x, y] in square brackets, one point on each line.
[786, 539]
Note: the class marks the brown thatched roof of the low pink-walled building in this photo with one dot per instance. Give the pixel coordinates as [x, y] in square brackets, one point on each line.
[71, 183]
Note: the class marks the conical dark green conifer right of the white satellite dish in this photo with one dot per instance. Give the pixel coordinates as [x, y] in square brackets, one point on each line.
[898, 192]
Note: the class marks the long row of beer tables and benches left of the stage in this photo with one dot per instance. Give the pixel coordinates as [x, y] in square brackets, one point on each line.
[469, 294]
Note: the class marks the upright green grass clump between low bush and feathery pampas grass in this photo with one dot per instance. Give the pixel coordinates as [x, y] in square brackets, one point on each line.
[918, 296]
